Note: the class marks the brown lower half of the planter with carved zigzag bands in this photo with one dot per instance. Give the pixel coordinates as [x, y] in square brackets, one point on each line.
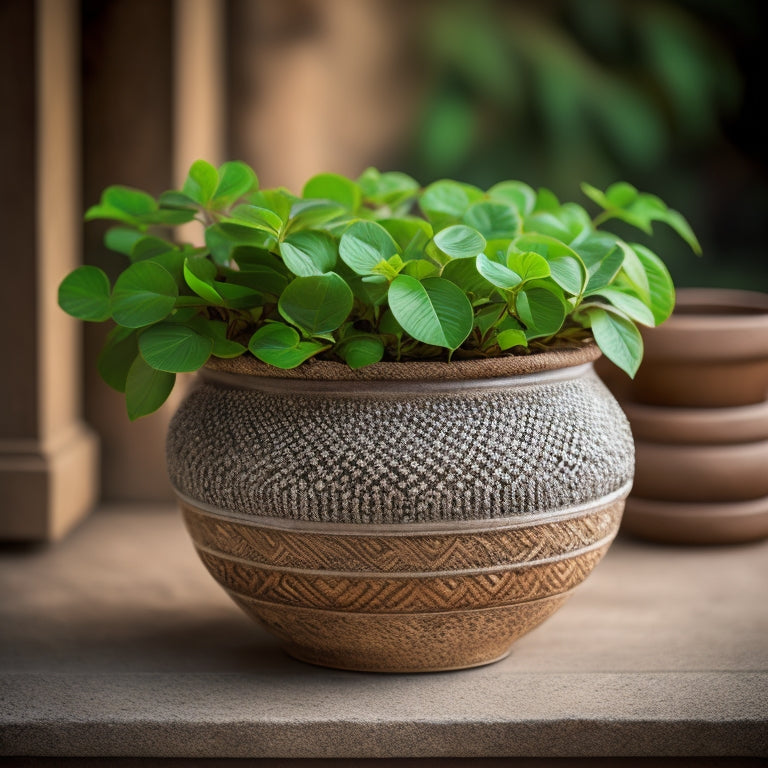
[402, 602]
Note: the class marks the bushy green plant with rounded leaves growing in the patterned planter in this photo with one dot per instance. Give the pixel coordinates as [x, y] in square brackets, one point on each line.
[360, 271]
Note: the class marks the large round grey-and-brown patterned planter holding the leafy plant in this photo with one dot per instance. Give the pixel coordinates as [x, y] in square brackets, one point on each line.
[406, 516]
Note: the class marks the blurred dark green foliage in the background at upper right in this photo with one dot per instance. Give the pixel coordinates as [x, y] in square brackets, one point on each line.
[558, 91]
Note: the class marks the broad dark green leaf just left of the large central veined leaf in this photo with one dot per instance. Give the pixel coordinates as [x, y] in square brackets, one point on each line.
[318, 304]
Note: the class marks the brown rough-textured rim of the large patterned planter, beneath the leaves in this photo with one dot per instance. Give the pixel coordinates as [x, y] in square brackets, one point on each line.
[413, 371]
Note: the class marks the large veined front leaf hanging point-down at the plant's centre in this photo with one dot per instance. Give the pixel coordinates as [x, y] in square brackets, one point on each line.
[435, 311]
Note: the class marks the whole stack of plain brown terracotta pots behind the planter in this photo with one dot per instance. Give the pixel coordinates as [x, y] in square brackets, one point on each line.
[698, 408]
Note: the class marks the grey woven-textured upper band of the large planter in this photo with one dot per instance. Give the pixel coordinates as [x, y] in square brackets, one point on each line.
[399, 459]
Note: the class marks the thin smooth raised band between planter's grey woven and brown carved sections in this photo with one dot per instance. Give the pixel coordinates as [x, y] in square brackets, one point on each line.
[408, 529]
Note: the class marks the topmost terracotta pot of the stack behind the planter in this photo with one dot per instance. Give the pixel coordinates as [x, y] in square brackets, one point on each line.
[712, 352]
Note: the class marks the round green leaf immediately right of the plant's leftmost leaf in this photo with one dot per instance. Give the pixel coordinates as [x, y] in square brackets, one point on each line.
[144, 293]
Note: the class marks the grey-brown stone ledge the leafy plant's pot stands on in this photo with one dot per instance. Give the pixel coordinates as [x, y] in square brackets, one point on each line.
[116, 642]
